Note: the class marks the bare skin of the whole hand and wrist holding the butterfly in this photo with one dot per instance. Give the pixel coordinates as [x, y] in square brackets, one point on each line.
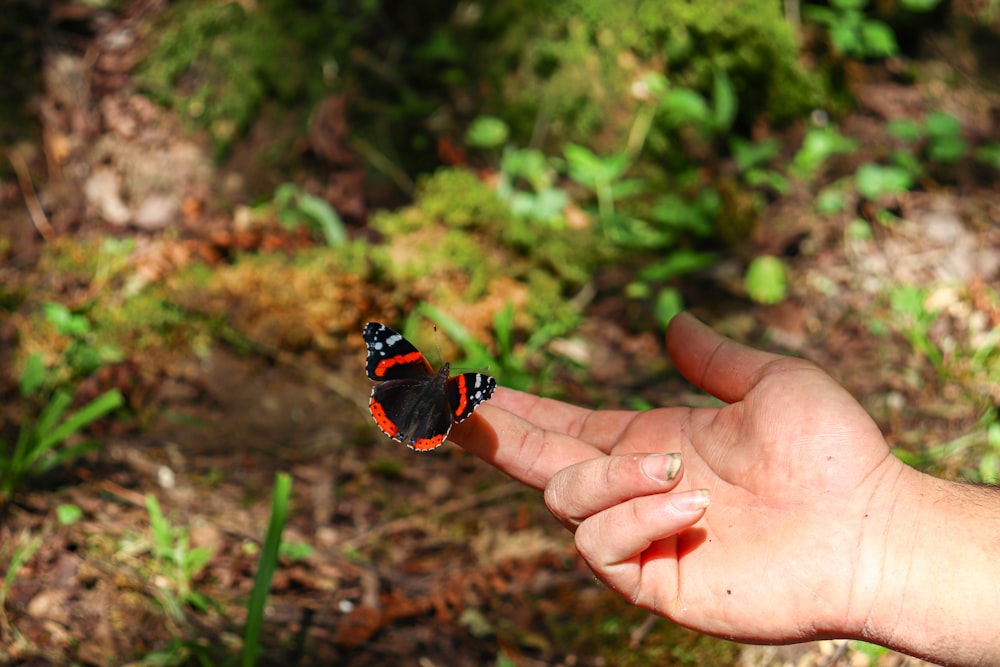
[780, 517]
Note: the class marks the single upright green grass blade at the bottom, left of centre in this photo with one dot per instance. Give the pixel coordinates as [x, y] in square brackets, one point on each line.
[266, 565]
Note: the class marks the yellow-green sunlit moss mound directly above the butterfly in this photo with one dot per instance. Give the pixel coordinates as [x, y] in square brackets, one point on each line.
[459, 247]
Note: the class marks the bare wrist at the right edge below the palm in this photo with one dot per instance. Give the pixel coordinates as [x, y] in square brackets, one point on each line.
[935, 562]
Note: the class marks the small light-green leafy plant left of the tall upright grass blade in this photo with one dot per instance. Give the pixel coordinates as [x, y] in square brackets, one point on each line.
[177, 561]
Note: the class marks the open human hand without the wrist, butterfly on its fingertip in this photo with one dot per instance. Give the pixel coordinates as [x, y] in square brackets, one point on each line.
[801, 482]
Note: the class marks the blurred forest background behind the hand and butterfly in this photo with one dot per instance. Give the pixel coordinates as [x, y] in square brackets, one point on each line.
[202, 203]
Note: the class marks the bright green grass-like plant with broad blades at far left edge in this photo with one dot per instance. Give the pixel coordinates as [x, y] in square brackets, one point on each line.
[41, 442]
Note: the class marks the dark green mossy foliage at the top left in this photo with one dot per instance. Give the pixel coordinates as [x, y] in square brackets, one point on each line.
[216, 62]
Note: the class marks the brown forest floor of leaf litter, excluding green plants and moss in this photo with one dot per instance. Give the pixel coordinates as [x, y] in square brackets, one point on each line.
[405, 559]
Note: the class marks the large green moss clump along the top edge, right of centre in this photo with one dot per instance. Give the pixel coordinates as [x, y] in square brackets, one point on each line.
[572, 63]
